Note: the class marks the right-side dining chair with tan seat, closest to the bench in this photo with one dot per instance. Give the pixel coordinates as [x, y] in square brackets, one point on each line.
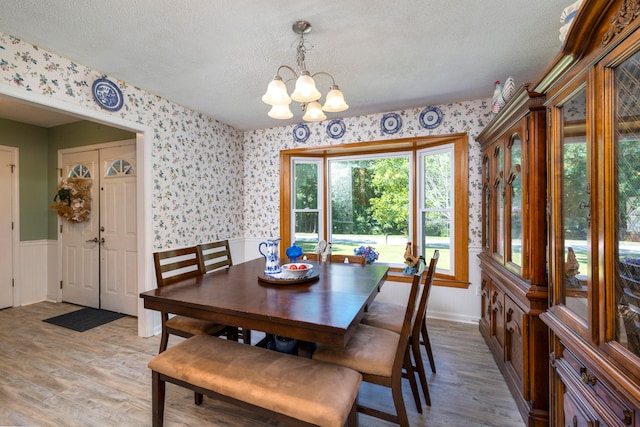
[380, 356]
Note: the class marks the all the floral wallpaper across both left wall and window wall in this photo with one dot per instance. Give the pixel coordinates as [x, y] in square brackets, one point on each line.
[209, 179]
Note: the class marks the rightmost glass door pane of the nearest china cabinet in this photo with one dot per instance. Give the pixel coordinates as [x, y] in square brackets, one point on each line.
[626, 185]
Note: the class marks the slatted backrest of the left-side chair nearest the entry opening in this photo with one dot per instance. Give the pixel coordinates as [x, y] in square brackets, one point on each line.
[176, 264]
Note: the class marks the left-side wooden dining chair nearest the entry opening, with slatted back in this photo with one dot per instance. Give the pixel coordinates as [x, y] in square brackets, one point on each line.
[171, 267]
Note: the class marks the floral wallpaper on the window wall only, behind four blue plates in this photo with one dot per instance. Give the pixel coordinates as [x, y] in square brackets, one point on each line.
[262, 147]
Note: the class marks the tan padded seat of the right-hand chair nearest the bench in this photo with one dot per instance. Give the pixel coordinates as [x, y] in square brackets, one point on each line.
[370, 350]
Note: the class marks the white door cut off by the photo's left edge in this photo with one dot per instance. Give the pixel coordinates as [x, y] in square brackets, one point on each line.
[7, 166]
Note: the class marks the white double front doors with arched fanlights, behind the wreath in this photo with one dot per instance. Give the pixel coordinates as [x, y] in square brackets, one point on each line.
[99, 256]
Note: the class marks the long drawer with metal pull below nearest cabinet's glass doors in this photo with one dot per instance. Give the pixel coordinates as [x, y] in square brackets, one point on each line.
[598, 390]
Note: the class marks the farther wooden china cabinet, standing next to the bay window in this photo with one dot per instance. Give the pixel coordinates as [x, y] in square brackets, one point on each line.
[513, 260]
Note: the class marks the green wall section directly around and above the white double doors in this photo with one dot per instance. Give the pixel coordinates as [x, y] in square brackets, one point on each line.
[74, 135]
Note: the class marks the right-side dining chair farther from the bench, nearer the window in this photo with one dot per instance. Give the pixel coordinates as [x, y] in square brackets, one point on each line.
[389, 316]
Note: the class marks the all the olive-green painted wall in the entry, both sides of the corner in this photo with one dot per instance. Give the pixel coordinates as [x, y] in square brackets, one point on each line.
[38, 157]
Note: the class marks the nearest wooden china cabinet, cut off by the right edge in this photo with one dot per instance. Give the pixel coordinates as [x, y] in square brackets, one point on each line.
[592, 91]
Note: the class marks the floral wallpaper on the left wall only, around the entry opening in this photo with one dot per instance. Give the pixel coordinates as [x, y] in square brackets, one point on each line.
[197, 162]
